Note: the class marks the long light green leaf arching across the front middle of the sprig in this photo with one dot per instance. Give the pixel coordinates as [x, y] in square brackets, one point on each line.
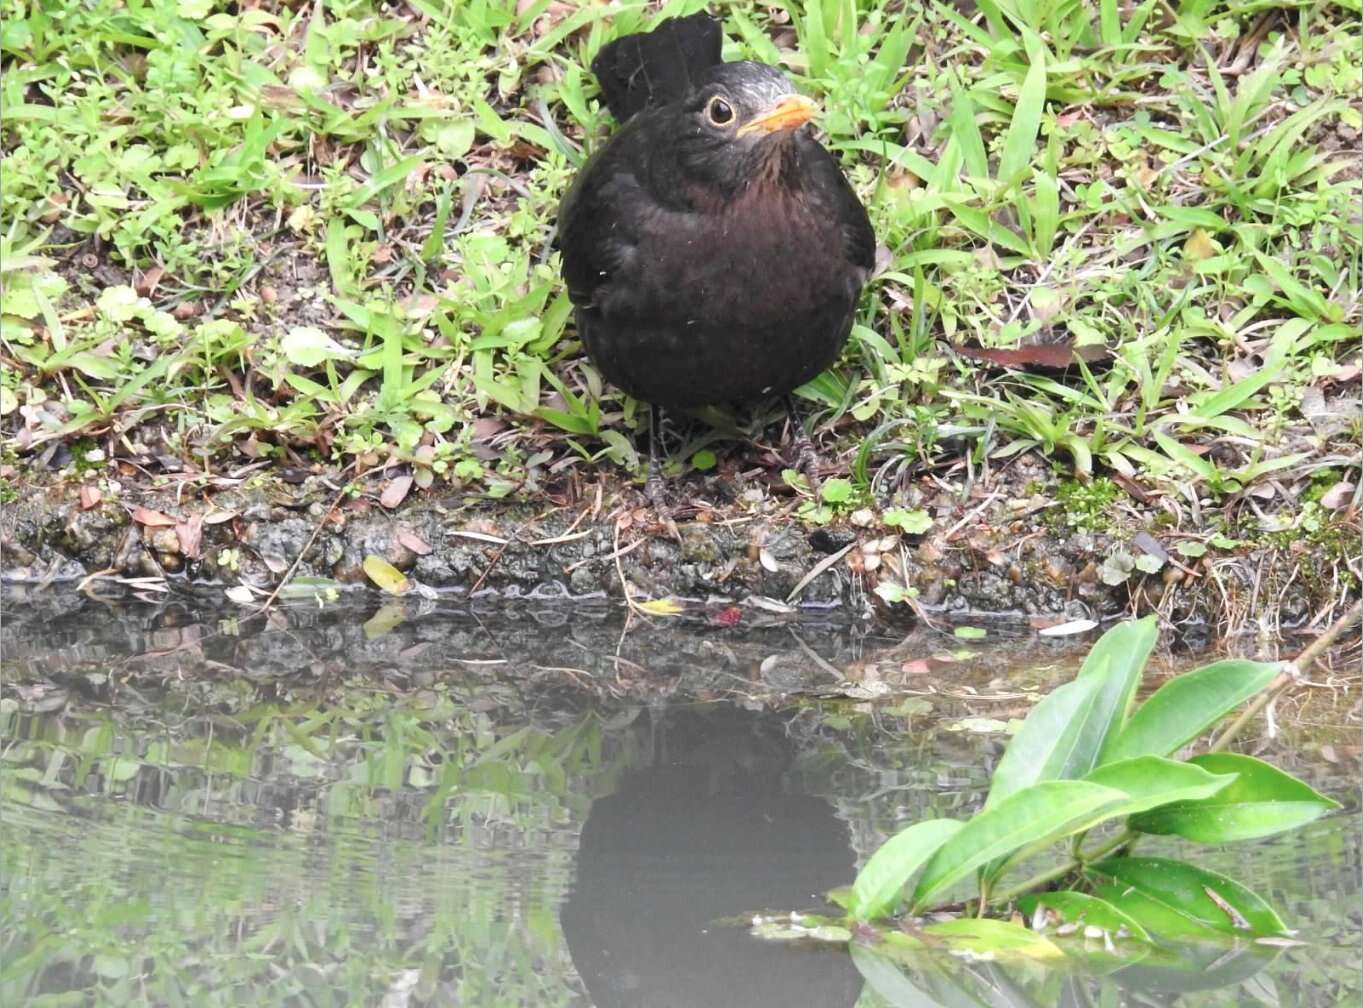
[1042, 813]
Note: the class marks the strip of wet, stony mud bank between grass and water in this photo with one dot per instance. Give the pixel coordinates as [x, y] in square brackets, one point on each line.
[996, 552]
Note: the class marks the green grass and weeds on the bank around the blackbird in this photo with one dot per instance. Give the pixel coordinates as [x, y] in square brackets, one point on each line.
[324, 236]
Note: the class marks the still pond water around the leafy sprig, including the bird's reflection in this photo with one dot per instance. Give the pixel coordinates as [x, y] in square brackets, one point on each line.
[425, 804]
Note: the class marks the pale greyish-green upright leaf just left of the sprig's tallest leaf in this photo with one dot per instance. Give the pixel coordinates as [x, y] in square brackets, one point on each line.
[1056, 743]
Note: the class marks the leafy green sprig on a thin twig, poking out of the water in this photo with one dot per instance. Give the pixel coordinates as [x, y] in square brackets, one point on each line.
[1088, 758]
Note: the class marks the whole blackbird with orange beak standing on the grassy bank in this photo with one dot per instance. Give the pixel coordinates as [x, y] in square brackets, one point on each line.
[714, 250]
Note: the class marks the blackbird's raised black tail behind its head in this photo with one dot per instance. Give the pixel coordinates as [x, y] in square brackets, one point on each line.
[656, 67]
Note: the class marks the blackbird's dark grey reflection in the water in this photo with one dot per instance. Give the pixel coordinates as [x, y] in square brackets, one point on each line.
[708, 832]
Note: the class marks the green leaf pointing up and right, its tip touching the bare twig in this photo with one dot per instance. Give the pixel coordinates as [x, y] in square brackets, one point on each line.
[1185, 708]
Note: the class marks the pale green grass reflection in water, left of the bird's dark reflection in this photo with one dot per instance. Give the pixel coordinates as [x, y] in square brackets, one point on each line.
[291, 853]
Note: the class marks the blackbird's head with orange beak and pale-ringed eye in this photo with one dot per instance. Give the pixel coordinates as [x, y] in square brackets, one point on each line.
[737, 121]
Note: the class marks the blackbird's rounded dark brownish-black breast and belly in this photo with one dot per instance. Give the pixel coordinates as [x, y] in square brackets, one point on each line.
[746, 302]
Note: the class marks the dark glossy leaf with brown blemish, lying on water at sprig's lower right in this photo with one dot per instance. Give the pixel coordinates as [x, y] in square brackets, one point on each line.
[1174, 900]
